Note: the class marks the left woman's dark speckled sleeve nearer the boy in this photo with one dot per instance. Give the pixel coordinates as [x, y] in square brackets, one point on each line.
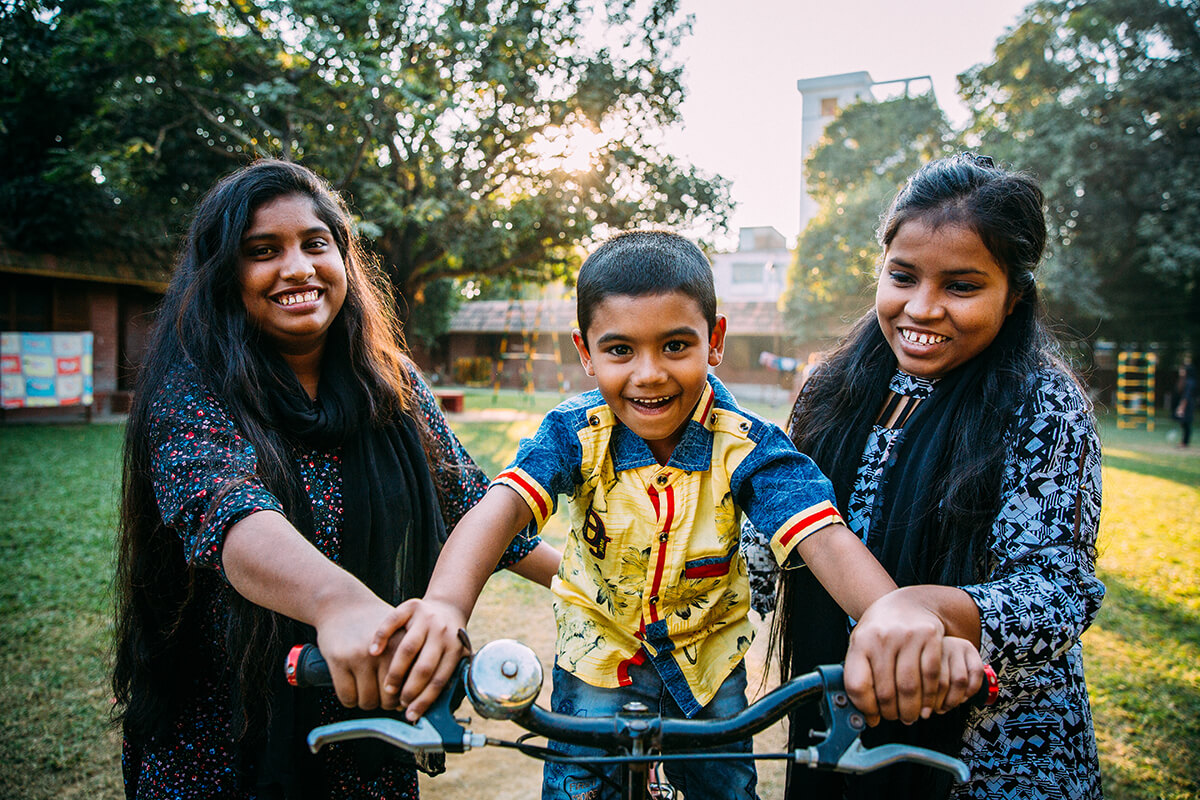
[461, 482]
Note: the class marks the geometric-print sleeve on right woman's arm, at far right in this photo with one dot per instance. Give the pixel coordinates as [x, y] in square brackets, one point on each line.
[1043, 592]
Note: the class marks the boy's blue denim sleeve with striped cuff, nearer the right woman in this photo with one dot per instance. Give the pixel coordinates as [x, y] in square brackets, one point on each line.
[783, 494]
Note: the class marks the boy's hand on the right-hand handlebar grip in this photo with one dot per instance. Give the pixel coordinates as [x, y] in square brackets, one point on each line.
[895, 663]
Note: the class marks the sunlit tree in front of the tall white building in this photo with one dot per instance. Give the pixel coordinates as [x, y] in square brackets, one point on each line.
[861, 163]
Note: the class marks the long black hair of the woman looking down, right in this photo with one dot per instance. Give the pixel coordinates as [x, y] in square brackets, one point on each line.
[841, 404]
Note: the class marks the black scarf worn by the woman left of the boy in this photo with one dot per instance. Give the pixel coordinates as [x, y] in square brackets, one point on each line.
[392, 534]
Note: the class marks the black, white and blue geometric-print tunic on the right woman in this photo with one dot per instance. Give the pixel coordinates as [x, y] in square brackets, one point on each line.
[1037, 741]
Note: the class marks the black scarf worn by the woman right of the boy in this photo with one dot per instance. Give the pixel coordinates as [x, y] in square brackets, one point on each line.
[899, 540]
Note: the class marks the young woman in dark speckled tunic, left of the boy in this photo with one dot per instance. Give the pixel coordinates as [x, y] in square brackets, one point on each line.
[289, 478]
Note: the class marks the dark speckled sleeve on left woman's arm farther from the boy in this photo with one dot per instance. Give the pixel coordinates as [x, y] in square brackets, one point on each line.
[203, 470]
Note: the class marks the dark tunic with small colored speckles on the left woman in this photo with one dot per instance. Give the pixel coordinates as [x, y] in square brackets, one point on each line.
[196, 450]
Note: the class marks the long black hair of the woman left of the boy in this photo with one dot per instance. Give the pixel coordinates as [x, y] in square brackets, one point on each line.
[203, 323]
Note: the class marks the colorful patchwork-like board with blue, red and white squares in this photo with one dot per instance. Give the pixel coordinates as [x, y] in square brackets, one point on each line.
[45, 370]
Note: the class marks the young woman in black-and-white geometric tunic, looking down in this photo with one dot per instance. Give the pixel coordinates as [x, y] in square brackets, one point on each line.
[964, 452]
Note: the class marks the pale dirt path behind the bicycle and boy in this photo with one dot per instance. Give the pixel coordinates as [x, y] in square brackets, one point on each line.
[513, 609]
